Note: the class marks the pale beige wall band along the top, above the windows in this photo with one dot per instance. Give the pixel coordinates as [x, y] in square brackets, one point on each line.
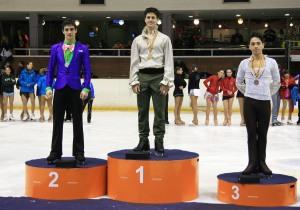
[140, 5]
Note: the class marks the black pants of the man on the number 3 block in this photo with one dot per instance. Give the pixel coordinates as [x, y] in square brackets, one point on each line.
[257, 119]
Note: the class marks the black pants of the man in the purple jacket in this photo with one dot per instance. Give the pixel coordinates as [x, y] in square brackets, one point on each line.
[63, 98]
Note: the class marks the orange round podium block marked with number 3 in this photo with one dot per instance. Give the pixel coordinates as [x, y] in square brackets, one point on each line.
[278, 190]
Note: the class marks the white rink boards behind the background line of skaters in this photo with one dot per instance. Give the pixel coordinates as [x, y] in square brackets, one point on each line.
[115, 93]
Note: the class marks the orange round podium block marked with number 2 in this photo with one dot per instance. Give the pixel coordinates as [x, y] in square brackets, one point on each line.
[45, 181]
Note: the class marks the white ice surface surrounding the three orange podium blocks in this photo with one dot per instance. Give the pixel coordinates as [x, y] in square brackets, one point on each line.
[221, 149]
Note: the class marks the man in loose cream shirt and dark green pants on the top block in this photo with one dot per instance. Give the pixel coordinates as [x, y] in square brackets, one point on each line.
[151, 75]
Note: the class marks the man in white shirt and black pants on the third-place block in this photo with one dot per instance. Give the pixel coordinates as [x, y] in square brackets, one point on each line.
[261, 75]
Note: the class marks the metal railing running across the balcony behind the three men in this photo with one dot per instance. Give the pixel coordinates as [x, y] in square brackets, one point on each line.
[196, 52]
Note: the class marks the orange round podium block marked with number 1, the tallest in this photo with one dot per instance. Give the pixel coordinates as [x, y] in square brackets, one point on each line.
[171, 179]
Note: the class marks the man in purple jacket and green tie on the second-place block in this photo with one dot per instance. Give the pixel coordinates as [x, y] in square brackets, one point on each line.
[69, 58]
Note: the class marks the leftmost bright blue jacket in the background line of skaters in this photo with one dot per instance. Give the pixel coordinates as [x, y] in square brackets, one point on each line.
[27, 81]
